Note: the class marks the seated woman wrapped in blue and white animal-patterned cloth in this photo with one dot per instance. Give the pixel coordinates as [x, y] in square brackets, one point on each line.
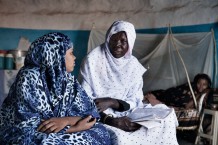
[46, 104]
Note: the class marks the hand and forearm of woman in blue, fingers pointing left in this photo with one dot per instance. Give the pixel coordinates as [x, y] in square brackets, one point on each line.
[54, 125]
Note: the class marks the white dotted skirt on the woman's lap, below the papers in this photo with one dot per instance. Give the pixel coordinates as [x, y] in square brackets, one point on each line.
[162, 135]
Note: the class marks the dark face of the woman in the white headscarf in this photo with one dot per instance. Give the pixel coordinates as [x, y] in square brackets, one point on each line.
[118, 44]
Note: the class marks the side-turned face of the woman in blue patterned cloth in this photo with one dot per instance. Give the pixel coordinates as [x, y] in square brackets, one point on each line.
[70, 60]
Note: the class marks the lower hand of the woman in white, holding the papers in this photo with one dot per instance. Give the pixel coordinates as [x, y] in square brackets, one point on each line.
[124, 123]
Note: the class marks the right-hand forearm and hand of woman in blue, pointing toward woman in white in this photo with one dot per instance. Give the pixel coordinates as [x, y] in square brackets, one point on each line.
[81, 125]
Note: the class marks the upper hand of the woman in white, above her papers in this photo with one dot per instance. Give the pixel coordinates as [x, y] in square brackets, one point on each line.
[105, 103]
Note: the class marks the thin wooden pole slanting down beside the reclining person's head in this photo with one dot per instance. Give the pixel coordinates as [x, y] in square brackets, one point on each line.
[194, 98]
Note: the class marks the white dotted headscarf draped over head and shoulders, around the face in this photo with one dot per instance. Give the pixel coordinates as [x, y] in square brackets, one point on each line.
[106, 76]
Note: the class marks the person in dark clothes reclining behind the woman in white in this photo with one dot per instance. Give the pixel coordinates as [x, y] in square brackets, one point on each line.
[181, 97]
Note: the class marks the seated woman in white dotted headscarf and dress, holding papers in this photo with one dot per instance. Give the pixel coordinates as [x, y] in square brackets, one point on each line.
[112, 76]
